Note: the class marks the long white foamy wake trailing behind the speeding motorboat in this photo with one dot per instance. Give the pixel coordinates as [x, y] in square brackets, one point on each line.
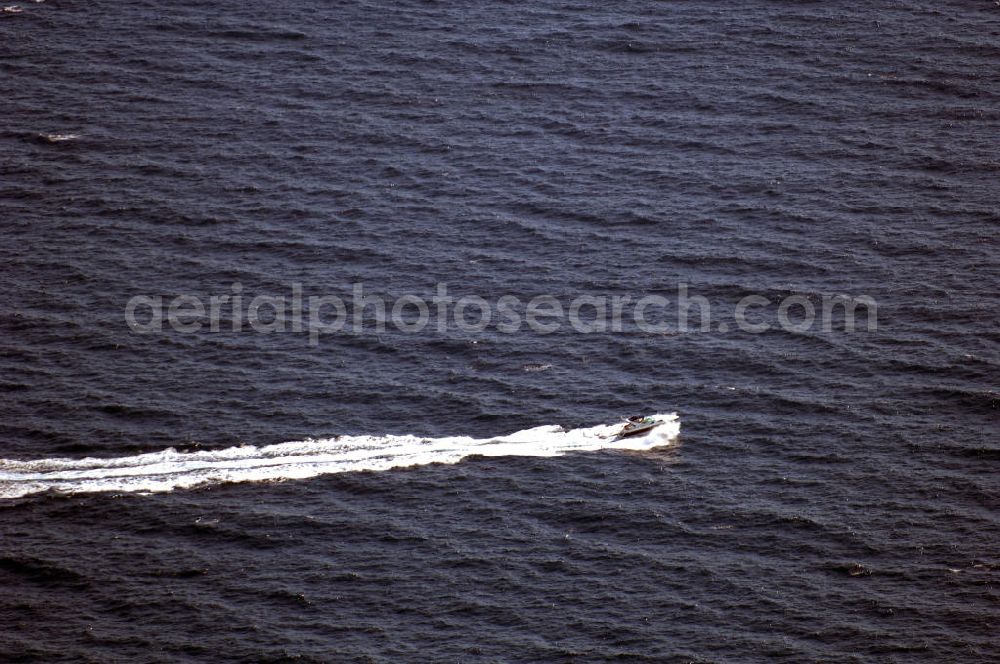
[169, 469]
